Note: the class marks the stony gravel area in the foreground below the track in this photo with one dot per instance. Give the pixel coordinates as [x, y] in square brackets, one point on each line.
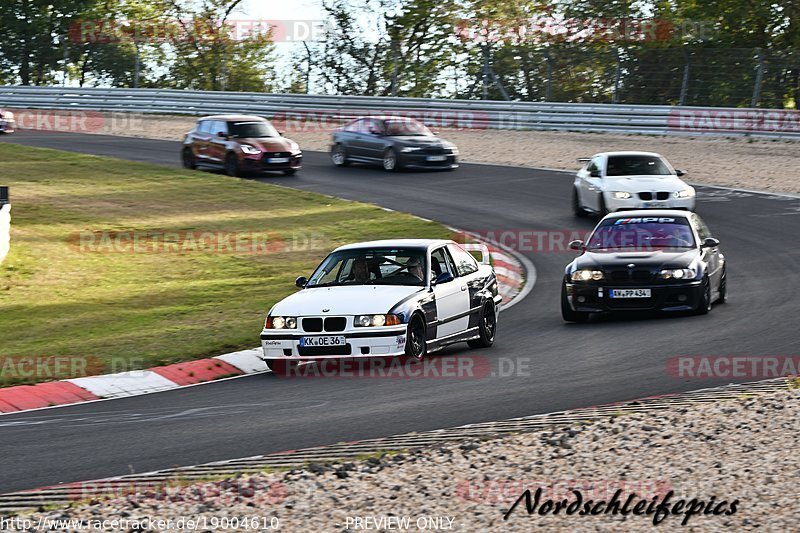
[731, 462]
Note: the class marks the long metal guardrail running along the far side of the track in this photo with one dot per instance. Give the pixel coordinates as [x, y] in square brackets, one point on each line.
[481, 114]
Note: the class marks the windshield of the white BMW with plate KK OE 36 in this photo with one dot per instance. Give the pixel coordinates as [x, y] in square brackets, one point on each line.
[367, 266]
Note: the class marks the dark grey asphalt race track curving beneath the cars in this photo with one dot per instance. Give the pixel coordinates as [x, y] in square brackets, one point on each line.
[569, 366]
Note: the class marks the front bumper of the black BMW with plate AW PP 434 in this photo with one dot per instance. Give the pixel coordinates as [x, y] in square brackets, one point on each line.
[596, 297]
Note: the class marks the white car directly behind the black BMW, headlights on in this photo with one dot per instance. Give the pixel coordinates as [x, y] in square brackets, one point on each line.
[617, 181]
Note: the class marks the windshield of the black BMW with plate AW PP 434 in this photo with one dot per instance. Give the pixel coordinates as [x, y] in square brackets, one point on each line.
[642, 233]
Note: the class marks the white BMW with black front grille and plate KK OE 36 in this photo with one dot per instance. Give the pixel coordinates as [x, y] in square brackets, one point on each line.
[404, 298]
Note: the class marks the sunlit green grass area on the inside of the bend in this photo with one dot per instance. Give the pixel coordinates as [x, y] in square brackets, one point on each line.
[121, 311]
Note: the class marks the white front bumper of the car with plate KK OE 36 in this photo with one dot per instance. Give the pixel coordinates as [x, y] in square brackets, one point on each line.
[360, 342]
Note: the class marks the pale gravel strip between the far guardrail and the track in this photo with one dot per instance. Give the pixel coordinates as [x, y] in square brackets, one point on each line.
[747, 163]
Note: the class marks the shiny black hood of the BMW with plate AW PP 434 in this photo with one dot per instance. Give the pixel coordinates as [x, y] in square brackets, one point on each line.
[651, 260]
